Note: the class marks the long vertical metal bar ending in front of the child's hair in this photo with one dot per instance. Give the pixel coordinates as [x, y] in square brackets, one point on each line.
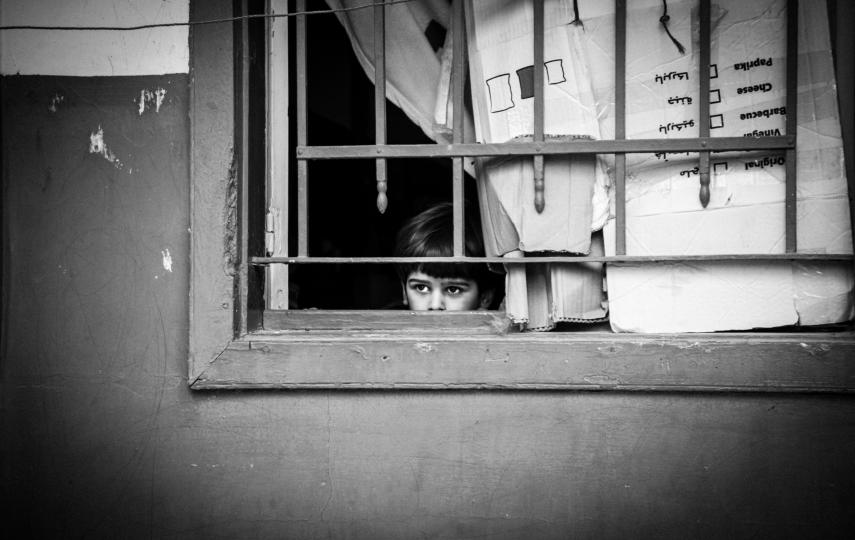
[458, 75]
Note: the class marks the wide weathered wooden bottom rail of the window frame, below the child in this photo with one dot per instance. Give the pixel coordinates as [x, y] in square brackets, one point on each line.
[576, 361]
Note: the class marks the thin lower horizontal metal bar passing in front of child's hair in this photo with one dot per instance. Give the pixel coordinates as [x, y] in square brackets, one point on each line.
[628, 259]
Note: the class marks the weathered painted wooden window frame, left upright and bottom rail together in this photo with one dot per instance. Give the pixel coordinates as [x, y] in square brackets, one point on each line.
[229, 349]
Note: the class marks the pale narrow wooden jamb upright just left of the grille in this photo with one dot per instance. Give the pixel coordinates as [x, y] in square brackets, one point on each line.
[277, 153]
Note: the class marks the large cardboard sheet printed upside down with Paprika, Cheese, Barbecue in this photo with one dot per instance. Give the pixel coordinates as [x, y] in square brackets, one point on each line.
[746, 210]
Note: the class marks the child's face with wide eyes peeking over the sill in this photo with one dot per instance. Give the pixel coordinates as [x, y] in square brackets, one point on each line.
[425, 292]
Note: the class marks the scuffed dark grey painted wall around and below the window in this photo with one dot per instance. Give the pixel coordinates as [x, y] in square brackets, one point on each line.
[102, 438]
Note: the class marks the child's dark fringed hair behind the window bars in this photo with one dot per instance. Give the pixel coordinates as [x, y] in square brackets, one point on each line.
[431, 234]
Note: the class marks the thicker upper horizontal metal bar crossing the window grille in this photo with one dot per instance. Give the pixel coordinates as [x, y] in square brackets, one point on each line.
[629, 146]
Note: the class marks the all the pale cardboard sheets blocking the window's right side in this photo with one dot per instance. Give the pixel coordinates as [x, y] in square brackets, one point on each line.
[664, 214]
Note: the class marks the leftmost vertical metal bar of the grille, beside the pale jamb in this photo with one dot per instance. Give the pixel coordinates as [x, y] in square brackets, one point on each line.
[302, 136]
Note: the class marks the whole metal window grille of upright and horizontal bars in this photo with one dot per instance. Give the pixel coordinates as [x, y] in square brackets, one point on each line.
[620, 146]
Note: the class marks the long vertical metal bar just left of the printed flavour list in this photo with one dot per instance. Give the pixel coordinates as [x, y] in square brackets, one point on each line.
[620, 126]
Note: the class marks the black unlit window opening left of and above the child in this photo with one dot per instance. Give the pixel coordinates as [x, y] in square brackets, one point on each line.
[343, 218]
